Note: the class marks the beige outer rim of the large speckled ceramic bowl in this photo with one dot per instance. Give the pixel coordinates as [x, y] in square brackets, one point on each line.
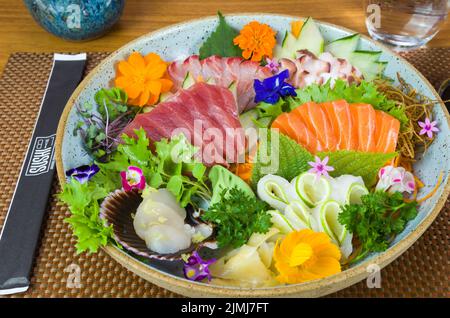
[314, 288]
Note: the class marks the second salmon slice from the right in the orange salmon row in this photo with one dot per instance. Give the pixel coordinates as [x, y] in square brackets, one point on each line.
[364, 118]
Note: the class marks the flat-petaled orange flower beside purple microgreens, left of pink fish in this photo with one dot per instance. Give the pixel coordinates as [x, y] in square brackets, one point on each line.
[143, 78]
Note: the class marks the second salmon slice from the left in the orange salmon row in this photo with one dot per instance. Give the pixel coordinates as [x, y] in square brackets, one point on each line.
[317, 121]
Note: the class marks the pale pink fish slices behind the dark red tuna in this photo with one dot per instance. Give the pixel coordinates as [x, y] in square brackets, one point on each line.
[222, 71]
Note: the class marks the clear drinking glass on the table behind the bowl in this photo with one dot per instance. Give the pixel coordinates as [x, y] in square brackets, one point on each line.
[405, 23]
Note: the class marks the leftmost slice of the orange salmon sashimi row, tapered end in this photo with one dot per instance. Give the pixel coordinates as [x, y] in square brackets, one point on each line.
[292, 125]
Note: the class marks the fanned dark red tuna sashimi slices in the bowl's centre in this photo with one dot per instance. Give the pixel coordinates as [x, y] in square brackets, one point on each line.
[206, 114]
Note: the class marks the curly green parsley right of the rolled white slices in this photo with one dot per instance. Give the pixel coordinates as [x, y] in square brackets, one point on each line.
[377, 220]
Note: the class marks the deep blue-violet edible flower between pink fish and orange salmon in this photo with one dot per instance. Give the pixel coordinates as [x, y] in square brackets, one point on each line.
[272, 88]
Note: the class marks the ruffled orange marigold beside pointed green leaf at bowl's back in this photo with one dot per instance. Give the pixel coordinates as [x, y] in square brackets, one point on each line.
[256, 40]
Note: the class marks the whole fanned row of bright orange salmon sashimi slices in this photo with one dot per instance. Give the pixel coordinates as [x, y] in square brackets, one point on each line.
[338, 125]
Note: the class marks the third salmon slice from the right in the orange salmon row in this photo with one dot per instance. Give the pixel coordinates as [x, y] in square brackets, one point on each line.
[340, 118]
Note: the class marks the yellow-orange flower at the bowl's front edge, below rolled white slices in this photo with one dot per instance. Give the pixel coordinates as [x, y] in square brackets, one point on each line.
[305, 255]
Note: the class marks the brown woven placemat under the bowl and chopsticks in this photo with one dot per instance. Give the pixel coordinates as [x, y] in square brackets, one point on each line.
[422, 271]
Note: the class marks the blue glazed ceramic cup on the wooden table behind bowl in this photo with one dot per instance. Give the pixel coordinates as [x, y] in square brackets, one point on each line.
[76, 20]
